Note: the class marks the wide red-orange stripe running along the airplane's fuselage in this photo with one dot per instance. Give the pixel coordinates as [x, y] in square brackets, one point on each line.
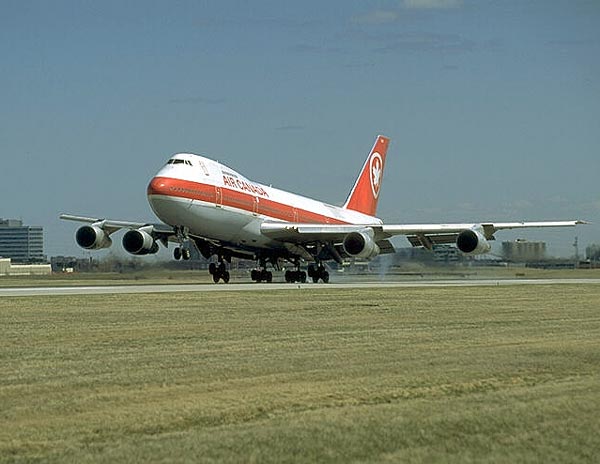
[257, 204]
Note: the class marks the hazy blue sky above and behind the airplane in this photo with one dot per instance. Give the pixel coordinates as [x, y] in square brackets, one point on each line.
[493, 107]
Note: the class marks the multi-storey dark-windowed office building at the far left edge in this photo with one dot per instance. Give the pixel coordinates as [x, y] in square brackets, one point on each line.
[23, 244]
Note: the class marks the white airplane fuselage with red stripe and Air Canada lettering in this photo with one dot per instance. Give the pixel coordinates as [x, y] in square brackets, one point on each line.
[215, 202]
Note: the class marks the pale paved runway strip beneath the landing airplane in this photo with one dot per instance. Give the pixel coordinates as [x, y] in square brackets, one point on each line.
[252, 287]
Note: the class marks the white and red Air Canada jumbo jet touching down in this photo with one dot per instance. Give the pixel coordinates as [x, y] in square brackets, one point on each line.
[206, 204]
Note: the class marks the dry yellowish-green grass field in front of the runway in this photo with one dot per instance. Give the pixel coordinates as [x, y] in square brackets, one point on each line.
[494, 374]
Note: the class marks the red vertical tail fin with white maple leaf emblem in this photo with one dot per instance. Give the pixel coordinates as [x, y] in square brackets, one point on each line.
[365, 193]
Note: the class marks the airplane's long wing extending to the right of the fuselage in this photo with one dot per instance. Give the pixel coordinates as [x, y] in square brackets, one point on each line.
[425, 235]
